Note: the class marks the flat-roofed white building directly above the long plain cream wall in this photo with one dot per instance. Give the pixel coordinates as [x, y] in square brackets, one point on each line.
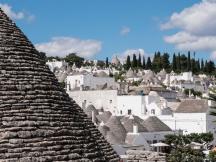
[88, 80]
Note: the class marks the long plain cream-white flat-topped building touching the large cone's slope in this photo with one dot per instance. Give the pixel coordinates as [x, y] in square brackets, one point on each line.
[106, 99]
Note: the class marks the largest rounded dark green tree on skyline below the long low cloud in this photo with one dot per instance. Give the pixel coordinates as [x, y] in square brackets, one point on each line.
[73, 58]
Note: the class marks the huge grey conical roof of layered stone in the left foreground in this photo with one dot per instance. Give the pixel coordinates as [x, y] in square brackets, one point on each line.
[39, 122]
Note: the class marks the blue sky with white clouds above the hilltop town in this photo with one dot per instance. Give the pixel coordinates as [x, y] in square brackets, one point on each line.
[97, 28]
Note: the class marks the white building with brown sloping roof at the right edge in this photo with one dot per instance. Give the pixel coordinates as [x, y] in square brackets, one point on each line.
[191, 116]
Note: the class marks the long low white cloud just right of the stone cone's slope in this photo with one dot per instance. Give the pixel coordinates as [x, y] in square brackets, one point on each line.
[61, 46]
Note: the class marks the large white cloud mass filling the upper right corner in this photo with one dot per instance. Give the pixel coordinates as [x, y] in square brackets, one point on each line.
[196, 26]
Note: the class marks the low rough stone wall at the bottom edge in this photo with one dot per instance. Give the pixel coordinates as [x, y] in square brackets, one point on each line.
[145, 156]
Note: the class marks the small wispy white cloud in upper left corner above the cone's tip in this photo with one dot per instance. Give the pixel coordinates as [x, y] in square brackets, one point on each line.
[16, 15]
